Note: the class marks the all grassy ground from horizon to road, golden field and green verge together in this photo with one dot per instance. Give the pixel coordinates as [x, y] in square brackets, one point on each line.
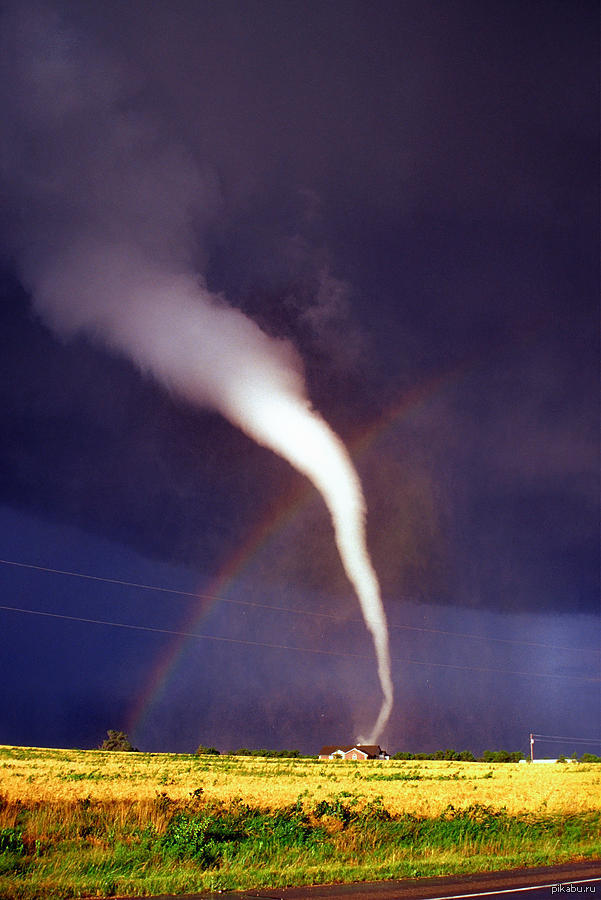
[81, 825]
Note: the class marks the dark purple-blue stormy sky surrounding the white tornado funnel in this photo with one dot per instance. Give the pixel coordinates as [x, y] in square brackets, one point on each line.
[409, 193]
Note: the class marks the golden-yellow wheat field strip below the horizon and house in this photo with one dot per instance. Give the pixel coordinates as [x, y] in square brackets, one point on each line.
[418, 787]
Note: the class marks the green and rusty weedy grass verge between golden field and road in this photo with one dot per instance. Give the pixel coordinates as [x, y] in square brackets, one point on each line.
[103, 848]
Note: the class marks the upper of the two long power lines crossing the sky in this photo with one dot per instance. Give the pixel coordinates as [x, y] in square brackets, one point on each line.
[304, 612]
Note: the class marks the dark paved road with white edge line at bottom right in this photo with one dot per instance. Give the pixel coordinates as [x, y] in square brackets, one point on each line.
[524, 884]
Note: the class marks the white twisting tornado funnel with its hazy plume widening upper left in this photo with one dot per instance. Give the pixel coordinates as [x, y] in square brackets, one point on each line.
[106, 249]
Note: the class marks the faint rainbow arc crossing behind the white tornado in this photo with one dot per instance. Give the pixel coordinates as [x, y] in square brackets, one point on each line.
[259, 536]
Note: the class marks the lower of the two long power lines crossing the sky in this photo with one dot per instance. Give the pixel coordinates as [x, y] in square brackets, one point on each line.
[211, 637]
